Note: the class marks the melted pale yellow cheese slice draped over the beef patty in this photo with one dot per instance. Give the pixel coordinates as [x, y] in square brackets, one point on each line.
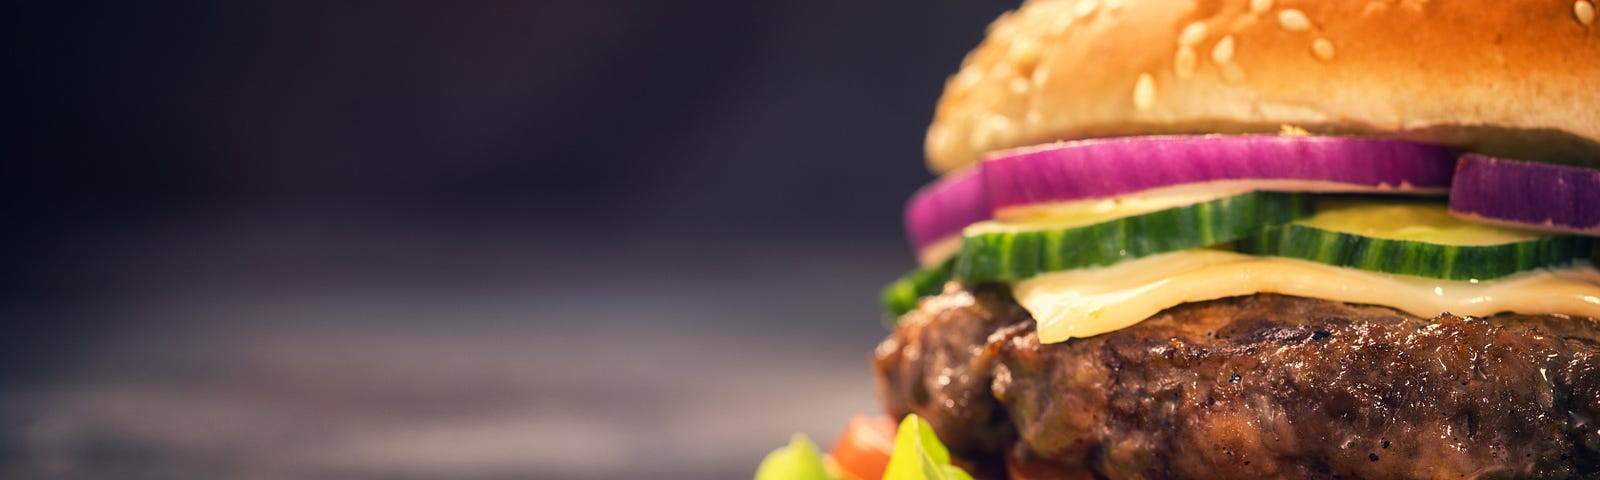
[1094, 302]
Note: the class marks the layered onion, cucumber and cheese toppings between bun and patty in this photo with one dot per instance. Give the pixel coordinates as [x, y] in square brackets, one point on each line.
[1097, 236]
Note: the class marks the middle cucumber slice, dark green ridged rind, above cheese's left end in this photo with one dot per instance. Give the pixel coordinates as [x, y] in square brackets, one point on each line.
[998, 252]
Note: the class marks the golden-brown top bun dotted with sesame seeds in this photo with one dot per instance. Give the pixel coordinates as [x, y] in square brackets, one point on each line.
[1505, 78]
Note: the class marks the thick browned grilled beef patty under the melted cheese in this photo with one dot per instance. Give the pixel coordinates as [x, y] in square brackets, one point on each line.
[1252, 388]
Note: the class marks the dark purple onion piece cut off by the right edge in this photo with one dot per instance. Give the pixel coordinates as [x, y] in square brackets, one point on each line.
[1526, 194]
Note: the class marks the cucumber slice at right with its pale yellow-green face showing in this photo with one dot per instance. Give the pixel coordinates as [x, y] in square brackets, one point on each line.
[1415, 239]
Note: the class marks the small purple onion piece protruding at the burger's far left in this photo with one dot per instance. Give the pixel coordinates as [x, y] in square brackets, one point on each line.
[943, 209]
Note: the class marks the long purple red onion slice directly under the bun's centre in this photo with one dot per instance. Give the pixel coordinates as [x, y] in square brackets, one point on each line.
[1102, 169]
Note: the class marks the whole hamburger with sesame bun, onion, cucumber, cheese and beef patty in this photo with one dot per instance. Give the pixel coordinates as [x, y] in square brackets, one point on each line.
[1254, 239]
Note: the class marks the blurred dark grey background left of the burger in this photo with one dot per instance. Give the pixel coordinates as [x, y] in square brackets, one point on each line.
[454, 239]
